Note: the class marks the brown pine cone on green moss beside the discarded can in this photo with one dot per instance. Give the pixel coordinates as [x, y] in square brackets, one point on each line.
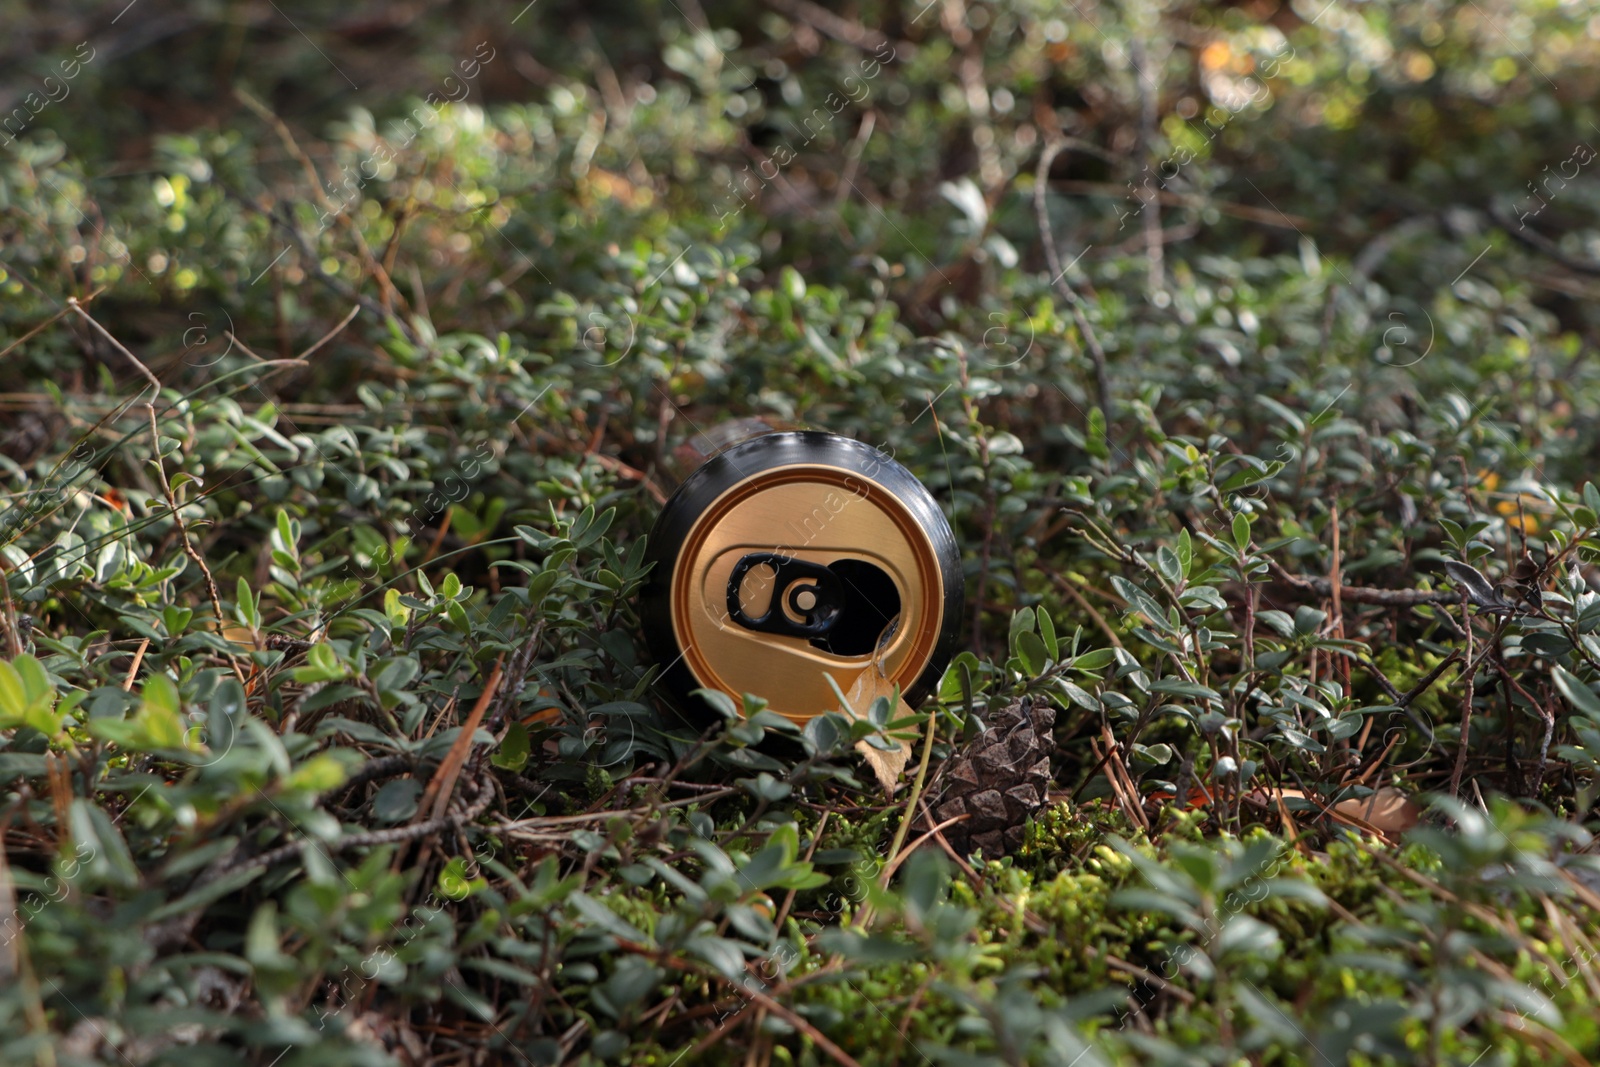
[998, 781]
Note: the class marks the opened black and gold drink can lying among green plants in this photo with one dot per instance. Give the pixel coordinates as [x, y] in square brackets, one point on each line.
[793, 556]
